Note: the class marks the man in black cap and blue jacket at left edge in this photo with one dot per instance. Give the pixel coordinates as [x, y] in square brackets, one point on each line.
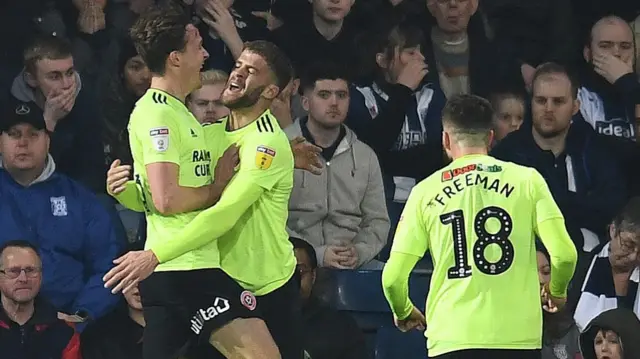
[74, 232]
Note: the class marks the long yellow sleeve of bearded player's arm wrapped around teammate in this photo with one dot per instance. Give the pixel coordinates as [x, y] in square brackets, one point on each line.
[239, 195]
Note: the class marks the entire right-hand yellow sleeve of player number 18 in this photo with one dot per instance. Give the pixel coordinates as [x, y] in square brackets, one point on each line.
[551, 230]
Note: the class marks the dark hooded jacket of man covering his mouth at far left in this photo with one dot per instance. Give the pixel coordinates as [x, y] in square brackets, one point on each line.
[76, 142]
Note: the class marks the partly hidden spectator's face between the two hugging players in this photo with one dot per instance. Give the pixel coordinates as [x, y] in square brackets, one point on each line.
[205, 103]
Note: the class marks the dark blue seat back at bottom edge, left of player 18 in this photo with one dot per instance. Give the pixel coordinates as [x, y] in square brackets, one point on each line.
[393, 344]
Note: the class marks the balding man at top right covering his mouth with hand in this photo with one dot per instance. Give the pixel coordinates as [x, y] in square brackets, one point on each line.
[610, 89]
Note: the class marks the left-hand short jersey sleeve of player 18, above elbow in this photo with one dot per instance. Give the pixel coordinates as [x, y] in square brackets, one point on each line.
[411, 233]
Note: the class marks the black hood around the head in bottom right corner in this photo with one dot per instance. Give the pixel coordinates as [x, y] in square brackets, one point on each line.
[623, 322]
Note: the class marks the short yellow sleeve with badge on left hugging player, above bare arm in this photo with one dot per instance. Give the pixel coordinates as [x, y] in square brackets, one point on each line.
[153, 129]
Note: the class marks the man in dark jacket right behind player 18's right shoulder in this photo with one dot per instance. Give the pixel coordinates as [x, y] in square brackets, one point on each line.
[584, 181]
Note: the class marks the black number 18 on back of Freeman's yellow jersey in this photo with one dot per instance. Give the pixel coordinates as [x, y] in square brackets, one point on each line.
[461, 268]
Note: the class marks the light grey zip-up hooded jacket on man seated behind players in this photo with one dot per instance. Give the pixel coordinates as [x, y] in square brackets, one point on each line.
[345, 202]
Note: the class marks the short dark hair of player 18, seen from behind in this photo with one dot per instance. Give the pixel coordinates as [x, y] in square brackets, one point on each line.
[468, 115]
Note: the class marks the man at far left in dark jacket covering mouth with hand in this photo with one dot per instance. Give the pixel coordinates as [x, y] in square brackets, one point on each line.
[50, 80]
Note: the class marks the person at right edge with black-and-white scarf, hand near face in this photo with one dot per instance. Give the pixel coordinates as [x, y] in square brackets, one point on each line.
[614, 272]
